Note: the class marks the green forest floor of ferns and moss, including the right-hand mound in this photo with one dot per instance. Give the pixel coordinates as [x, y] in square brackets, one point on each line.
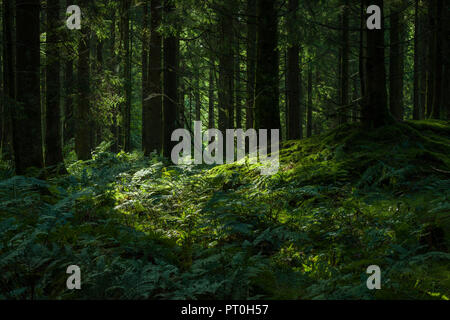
[141, 228]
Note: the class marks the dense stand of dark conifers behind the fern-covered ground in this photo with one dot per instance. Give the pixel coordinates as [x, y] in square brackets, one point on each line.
[138, 70]
